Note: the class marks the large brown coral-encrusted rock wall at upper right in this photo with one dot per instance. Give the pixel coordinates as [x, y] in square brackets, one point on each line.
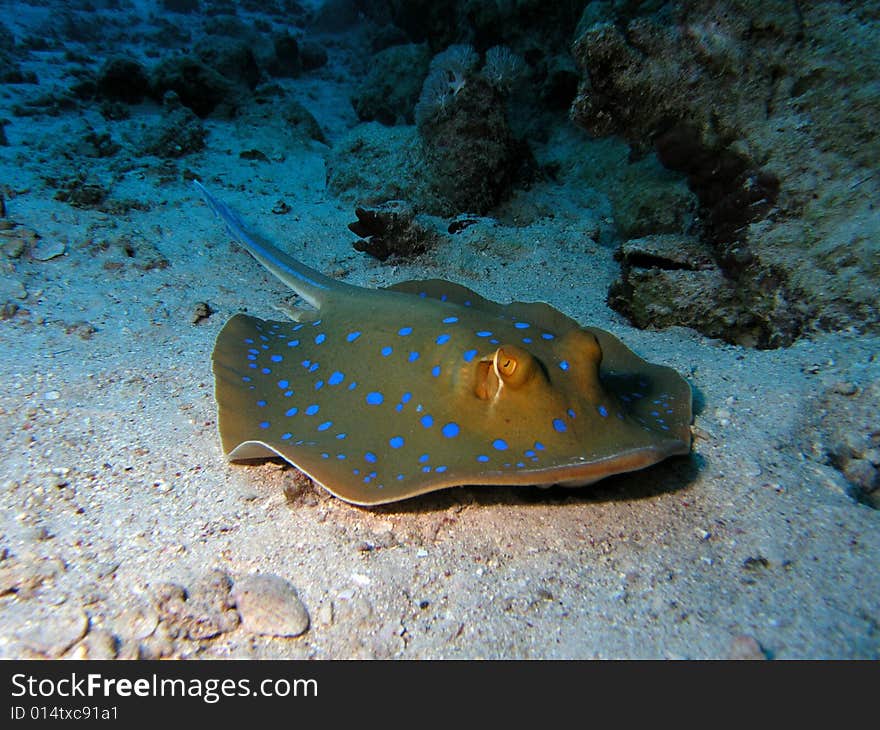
[766, 107]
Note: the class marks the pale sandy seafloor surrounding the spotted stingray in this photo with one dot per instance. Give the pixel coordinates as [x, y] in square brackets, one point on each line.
[113, 483]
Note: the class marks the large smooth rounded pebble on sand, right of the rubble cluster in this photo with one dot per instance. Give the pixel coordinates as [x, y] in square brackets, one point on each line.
[269, 605]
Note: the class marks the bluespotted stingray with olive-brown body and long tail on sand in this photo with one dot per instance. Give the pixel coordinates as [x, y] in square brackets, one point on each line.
[383, 394]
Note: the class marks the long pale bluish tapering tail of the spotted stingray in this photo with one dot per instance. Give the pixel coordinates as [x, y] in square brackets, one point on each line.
[311, 285]
